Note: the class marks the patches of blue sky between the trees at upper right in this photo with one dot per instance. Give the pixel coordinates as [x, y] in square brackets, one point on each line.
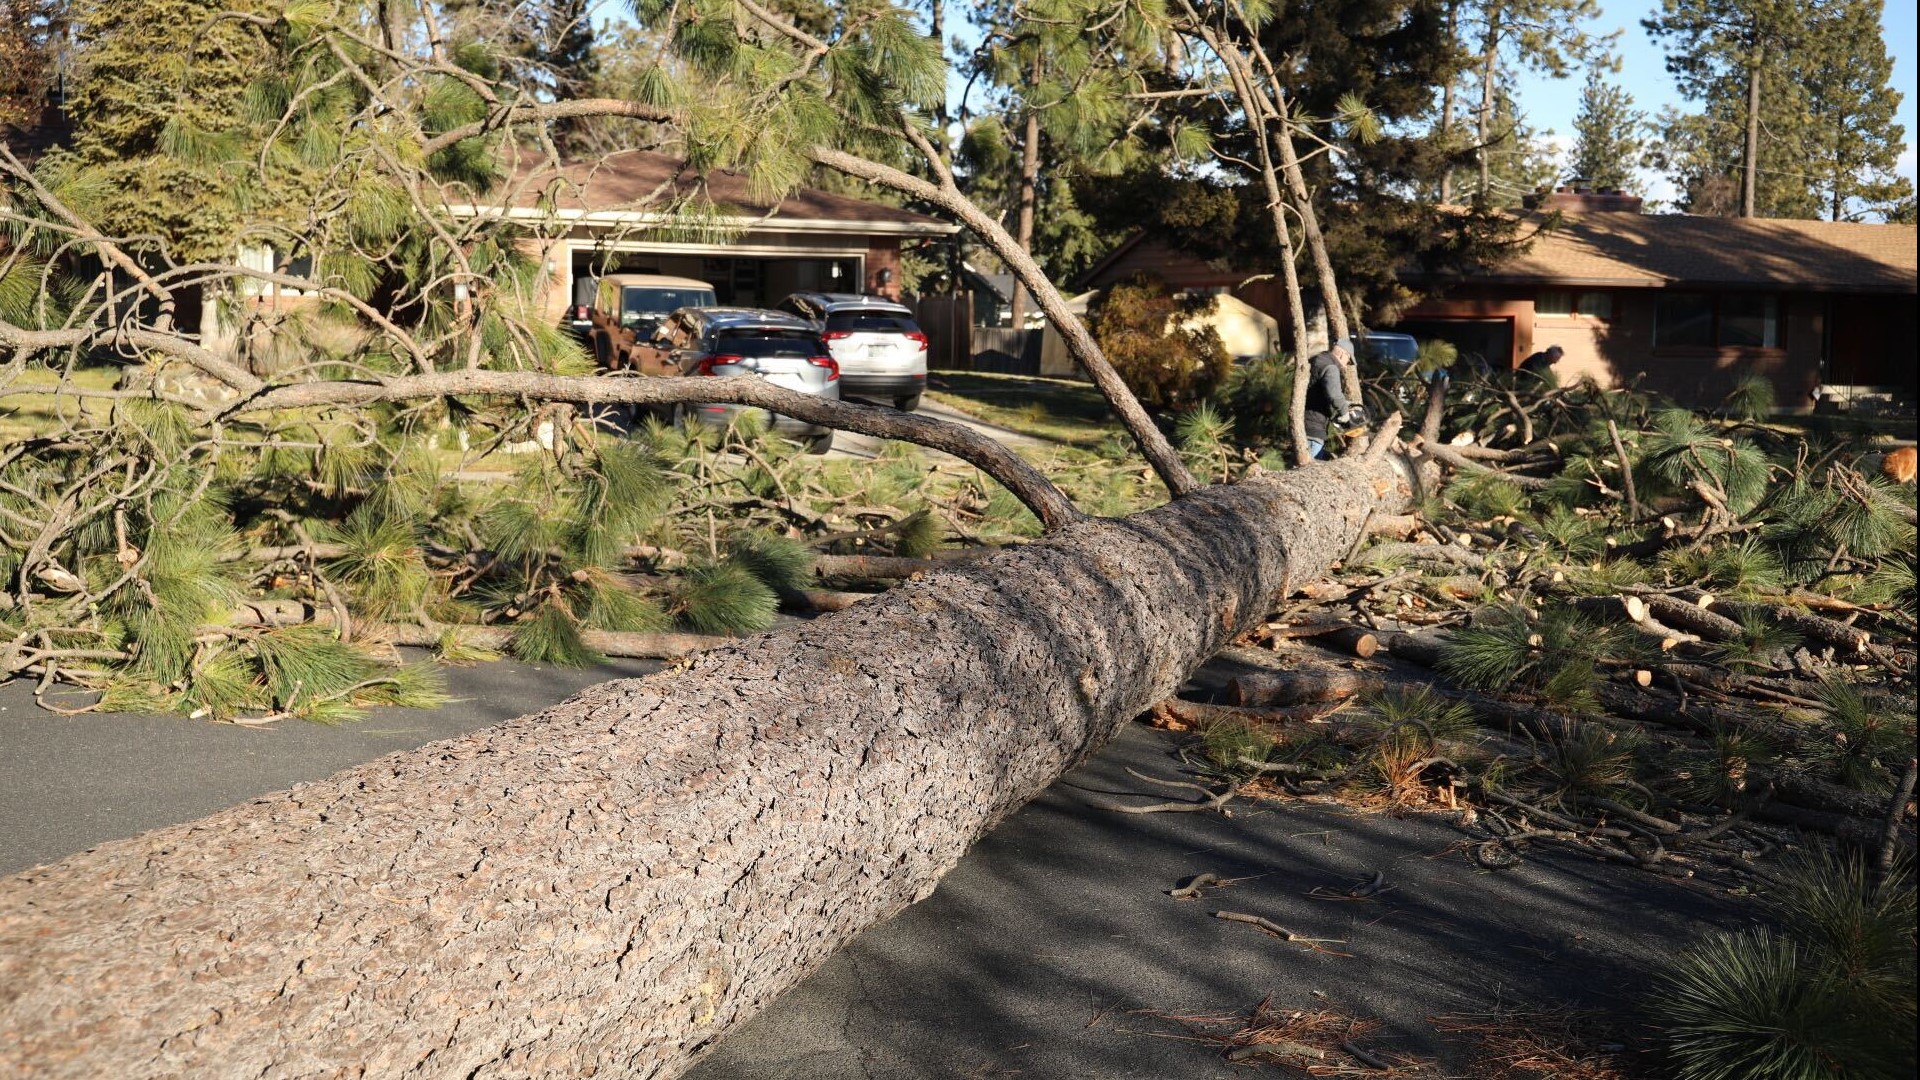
[1554, 103]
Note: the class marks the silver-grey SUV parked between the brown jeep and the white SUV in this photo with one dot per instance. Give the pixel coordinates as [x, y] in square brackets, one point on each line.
[746, 341]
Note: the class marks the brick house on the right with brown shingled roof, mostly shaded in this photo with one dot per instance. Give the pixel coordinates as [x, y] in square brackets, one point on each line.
[1689, 307]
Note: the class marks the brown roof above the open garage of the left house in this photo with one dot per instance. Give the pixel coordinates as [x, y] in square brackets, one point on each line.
[636, 187]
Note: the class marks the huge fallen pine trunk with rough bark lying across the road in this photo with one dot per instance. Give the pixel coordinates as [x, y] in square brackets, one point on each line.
[617, 881]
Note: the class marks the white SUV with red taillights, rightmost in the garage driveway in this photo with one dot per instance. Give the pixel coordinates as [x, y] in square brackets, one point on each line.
[876, 343]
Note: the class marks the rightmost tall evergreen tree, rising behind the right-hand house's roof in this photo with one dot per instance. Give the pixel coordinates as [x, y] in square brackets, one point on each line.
[1852, 141]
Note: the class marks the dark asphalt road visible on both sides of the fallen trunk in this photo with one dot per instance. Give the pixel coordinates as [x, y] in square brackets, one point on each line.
[1053, 950]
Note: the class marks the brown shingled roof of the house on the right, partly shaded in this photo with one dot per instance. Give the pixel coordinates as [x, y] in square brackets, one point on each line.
[1654, 251]
